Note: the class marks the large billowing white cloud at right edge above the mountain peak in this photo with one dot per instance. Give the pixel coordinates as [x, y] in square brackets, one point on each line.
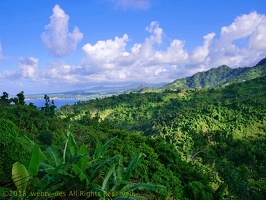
[242, 43]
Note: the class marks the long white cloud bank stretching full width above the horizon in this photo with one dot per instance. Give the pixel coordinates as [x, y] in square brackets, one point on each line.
[114, 60]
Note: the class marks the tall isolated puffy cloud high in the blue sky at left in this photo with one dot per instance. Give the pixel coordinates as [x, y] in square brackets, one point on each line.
[57, 38]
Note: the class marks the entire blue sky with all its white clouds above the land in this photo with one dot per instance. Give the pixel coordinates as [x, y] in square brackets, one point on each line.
[52, 46]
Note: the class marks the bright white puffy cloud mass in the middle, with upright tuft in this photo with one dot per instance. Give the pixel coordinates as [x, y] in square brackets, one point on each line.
[110, 60]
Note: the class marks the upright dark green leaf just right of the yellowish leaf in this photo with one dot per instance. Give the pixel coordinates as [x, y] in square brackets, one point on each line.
[34, 164]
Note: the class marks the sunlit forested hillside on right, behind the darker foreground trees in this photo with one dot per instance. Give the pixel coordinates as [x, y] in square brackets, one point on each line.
[219, 131]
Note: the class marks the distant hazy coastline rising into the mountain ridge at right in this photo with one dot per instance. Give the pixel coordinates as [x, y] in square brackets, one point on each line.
[212, 78]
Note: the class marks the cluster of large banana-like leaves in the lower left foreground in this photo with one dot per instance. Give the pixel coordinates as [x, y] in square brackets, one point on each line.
[106, 177]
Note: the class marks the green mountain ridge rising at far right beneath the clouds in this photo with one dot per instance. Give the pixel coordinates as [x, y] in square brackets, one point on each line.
[219, 76]
